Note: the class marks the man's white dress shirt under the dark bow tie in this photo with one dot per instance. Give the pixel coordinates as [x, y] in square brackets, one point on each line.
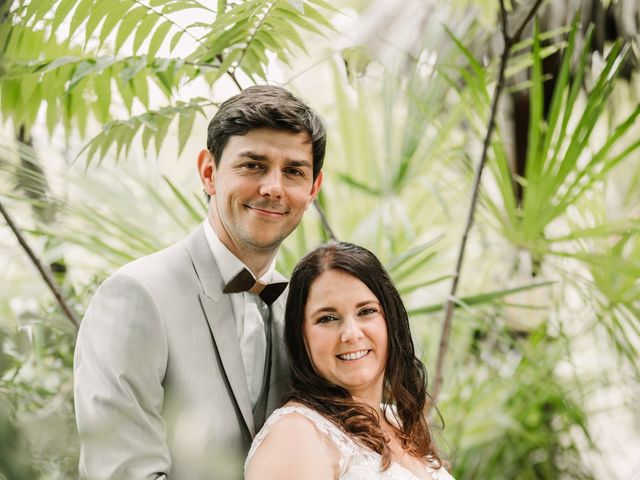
[249, 311]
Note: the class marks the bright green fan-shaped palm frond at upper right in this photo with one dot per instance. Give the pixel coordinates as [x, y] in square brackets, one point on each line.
[562, 163]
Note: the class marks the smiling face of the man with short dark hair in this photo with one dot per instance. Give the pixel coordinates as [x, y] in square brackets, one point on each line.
[261, 187]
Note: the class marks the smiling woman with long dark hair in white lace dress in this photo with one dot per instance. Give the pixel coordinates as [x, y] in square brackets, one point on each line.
[356, 409]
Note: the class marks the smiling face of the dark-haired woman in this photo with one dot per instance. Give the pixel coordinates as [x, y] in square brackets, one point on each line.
[346, 334]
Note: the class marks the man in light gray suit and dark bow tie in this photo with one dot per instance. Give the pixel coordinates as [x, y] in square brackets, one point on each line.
[177, 365]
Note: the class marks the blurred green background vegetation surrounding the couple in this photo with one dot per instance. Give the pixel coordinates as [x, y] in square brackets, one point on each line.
[105, 104]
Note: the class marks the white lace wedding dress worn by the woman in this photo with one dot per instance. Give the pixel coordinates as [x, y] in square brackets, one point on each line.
[356, 461]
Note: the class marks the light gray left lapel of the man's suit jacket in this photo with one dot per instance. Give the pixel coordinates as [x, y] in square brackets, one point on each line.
[219, 314]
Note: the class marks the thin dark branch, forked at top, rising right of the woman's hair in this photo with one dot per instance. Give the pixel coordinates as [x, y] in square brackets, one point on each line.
[450, 304]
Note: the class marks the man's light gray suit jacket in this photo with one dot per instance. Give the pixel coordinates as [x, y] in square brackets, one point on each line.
[160, 388]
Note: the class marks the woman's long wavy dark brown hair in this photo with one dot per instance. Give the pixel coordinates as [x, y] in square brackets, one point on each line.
[405, 378]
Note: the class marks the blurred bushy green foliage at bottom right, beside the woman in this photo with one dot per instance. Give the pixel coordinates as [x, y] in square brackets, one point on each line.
[509, 411]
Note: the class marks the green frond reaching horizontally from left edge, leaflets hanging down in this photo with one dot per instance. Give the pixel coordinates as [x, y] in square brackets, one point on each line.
[76, 87]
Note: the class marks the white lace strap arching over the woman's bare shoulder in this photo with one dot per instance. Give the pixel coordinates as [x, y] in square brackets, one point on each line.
[343, 443]
